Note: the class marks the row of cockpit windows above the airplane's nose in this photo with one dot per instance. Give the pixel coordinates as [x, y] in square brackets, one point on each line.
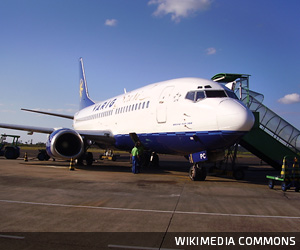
[198, 95]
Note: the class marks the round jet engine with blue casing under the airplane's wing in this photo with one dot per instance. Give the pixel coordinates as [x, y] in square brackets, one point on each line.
[65, 143]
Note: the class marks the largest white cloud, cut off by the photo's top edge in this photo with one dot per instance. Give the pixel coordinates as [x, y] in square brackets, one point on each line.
[179, 8]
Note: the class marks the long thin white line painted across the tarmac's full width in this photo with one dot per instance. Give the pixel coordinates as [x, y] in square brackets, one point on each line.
[150, 210]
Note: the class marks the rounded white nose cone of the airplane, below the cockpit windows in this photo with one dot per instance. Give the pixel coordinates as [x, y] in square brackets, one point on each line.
[234, 116]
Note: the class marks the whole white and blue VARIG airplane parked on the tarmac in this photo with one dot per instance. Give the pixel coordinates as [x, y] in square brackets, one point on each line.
[187, 116]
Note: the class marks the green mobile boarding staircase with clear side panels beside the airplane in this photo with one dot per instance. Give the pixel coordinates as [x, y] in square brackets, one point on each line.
[271, 138]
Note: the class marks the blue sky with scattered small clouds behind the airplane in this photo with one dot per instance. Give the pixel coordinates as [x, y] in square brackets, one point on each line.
[131, 43]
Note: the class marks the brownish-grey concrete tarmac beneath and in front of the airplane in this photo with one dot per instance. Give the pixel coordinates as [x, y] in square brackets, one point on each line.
[45, 204]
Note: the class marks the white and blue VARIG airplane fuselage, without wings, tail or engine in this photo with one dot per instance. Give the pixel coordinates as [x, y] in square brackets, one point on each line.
[179, 116]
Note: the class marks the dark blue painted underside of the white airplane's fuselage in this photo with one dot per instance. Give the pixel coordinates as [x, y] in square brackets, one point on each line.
[182, 143]
